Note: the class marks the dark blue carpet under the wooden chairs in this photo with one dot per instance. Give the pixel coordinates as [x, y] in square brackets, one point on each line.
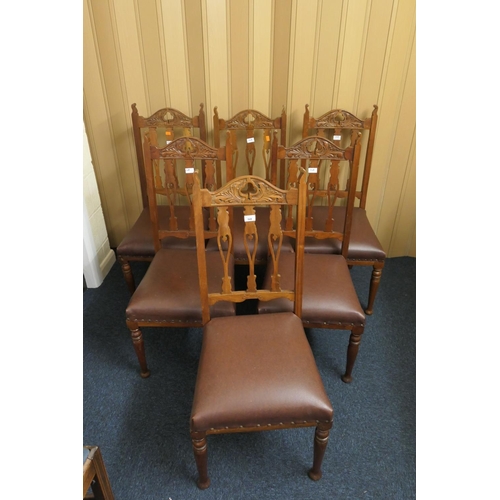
[142, 425]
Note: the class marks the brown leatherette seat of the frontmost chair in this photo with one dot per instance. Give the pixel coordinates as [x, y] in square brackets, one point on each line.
[259, 379]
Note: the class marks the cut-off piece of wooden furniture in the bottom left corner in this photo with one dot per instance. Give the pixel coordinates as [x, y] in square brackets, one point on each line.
[95, 476]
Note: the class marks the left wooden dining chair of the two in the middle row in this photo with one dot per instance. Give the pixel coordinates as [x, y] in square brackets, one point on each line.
[168, 295]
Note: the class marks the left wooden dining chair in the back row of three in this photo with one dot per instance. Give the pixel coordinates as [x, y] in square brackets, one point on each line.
[162, 127]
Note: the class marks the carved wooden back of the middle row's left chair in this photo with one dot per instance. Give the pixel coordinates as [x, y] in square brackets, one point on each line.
[181, 153]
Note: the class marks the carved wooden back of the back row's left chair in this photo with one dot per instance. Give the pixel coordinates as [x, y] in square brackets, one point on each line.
[163, 127]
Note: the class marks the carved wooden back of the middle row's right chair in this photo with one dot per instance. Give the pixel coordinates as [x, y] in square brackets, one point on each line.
[314, 154]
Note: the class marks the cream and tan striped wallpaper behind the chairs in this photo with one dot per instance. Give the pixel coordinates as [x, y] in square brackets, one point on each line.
[260, 54]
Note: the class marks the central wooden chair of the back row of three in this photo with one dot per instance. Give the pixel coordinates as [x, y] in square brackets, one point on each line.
[254, 140]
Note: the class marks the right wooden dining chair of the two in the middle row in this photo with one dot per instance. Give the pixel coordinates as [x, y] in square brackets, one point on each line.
[329, 298]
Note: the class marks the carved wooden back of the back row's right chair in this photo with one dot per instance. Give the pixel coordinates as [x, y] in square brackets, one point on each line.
[343, 128]
